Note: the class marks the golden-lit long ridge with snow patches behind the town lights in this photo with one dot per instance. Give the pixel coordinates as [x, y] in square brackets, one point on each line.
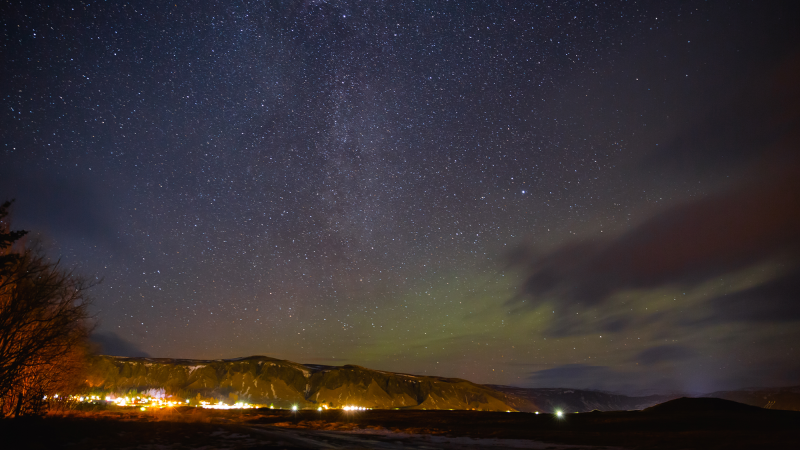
[270, 381]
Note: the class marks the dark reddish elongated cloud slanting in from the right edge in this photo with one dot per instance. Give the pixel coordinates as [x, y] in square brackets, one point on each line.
[754, 222]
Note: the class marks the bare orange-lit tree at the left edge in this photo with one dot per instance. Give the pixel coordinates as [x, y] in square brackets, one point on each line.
[44, 326]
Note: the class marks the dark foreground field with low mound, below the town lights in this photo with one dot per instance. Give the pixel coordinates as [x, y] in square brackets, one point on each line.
[693, 423]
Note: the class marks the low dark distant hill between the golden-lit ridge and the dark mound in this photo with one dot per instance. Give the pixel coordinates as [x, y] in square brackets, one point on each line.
[573, 400]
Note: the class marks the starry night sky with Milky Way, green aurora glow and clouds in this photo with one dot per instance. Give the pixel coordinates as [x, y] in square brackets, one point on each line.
[542, 194]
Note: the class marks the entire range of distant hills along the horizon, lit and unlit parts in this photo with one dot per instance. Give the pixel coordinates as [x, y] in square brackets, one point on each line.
[269, 381]
